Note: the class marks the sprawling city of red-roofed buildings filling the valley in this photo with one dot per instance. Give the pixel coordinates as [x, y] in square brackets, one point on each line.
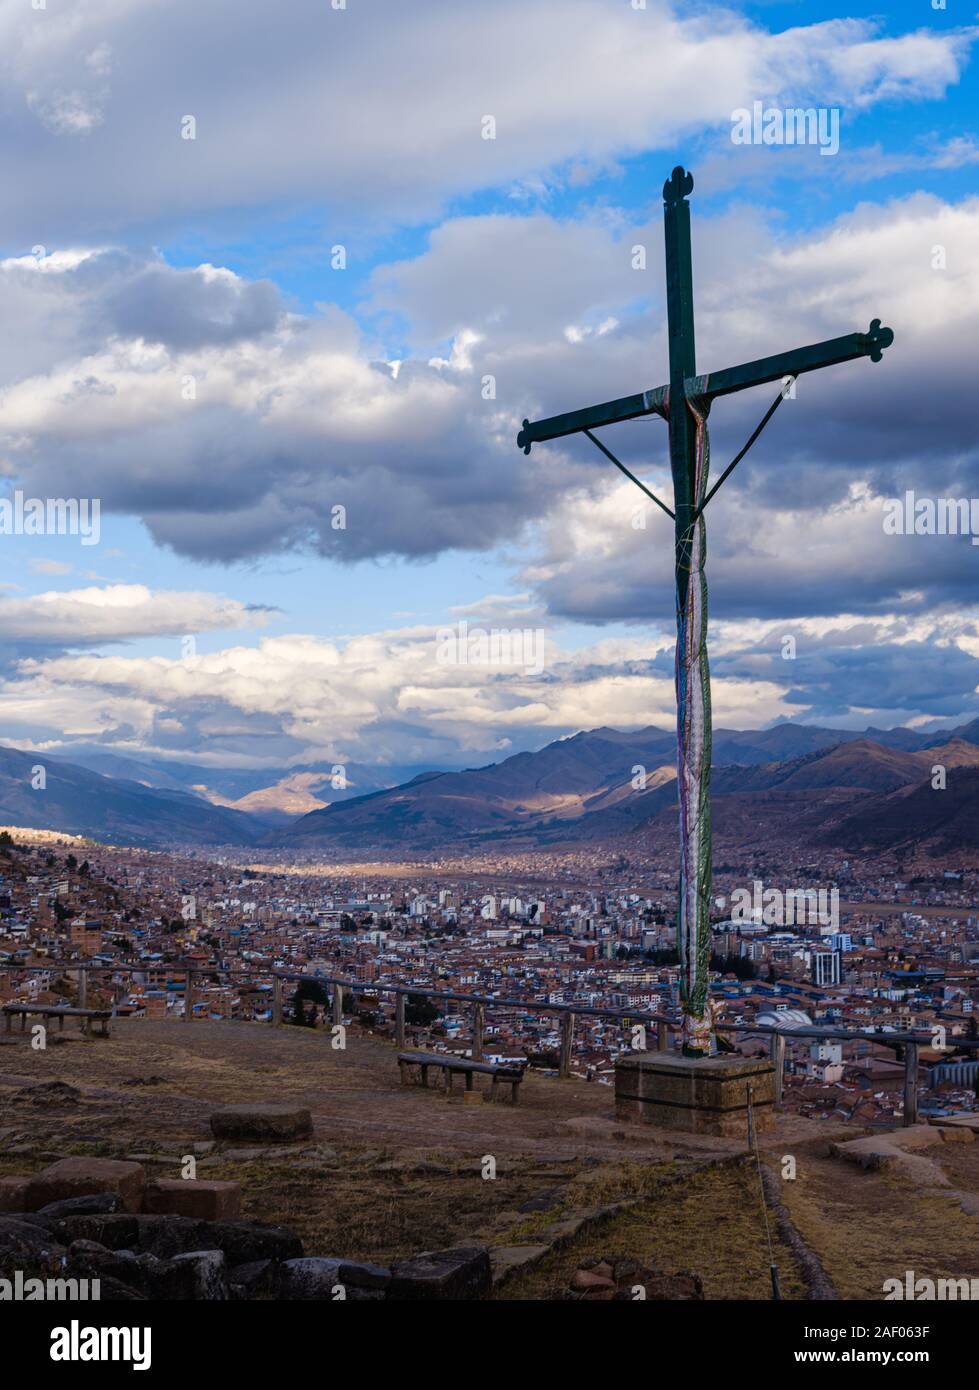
[589, 929]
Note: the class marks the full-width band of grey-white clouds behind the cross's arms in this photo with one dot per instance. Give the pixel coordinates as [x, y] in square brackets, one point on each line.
[236, 429]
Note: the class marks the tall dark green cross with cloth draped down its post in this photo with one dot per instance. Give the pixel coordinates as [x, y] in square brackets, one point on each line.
[685, 404]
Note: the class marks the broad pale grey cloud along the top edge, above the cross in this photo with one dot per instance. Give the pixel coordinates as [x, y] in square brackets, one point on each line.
[372, 106]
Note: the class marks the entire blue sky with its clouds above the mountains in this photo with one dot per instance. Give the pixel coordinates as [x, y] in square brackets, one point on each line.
[166, 259]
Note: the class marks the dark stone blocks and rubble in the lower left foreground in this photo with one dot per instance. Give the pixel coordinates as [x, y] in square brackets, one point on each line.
[181, 1239]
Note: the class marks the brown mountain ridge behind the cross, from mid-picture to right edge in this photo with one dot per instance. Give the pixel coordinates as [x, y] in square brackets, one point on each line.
[604, 785]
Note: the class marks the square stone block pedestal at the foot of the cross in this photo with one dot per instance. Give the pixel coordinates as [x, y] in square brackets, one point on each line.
[699, 1096]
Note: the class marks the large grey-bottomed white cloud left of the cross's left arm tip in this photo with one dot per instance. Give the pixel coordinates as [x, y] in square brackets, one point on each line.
[234, 430]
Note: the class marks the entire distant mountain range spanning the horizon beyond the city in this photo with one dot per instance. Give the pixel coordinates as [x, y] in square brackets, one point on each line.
[870, 790]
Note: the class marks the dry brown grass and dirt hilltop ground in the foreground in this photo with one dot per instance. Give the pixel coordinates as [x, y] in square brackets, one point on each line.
[394, 1170]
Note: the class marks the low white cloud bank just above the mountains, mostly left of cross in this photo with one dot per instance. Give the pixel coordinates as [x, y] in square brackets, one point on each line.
[375, 698]
